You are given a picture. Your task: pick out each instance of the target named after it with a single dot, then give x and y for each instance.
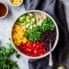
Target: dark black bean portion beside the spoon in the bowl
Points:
(48, 35)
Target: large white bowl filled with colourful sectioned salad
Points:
(31, 33)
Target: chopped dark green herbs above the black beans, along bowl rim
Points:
(47, 24)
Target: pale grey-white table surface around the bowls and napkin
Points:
(6, 25)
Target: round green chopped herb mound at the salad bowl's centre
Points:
(33, 34)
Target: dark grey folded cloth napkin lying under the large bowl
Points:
(55, 9)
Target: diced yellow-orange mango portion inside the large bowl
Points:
(18, 34)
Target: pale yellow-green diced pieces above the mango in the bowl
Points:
(26, 19)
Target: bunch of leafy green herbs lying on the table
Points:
(5, 62)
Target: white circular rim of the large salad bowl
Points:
(55, 42)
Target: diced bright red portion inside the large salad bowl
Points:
(33, 48)
